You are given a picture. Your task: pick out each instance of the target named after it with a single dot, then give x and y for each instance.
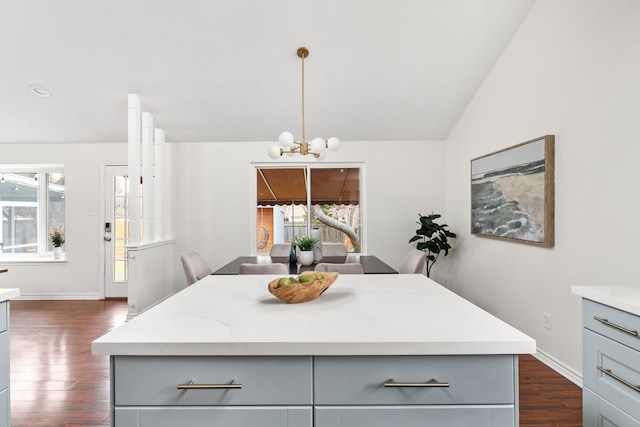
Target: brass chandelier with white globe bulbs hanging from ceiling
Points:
(289, 145)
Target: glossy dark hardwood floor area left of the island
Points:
(55, 380)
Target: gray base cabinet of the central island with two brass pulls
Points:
(321, 391)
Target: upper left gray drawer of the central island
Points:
(154, 381)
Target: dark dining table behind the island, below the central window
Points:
(370, 263)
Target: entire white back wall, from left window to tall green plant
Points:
(212, 191)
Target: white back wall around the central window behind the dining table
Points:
(214, 198)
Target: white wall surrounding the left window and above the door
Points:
(79, 277)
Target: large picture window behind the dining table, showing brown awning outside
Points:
(293, 200)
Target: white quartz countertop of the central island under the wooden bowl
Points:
(399, 314)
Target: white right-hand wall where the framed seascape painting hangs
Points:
(571, 70)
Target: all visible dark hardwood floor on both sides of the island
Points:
(56, 382)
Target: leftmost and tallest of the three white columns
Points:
(134, 156)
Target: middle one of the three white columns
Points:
(148, 185)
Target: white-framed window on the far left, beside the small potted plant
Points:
(32, 202)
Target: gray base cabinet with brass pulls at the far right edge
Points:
(611, 373)
